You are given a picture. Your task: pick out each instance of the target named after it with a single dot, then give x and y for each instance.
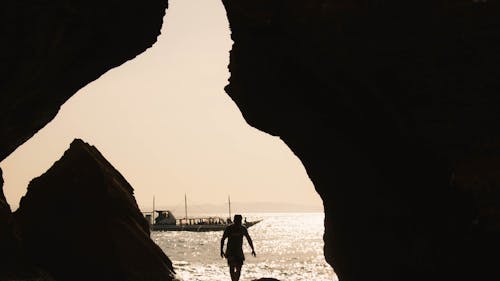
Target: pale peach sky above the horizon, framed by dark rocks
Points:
(164, 121)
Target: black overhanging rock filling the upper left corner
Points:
(54, 48)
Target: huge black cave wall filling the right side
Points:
(384, 102)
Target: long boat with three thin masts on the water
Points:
(166, 221)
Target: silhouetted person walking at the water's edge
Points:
(234, 249)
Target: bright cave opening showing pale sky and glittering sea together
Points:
(164, 121)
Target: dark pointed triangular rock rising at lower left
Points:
(80, 221)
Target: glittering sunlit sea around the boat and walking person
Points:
(289, 247)
